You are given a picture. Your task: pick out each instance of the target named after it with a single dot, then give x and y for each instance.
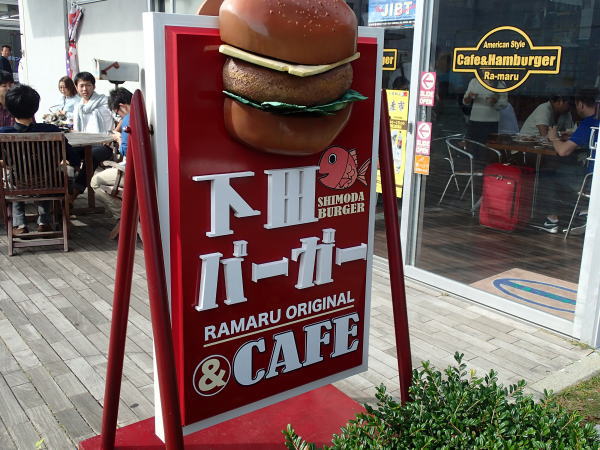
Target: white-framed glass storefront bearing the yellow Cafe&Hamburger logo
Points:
(548, 49)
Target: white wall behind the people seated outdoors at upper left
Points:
(110, 29)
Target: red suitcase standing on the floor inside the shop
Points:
(507, 196)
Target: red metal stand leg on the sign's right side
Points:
(392, 228)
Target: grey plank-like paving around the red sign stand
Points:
(55, 311)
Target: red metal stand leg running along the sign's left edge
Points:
(155, 270)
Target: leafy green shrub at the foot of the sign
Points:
(459, 410)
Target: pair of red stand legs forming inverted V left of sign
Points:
(140, 188)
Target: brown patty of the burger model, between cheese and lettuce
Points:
(265, 85)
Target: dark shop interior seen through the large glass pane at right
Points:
(528, 258)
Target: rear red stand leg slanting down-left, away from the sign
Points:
(118, 329)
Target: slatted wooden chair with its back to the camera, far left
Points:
(32, 169)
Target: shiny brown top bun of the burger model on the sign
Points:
(299, 31)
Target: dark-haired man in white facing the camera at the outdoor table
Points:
(91, 115)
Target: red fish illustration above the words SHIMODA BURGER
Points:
(338, 168)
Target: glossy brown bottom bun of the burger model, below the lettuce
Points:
(282, 134)
